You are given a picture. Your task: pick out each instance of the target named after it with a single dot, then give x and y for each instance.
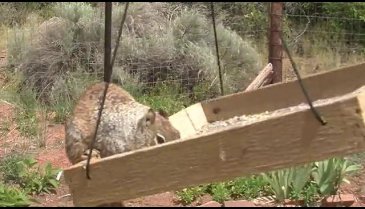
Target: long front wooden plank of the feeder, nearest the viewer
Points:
(298, 138)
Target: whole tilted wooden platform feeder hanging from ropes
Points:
(290, 138)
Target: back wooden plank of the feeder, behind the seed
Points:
(276, 96)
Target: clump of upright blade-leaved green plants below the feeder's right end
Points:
(311, 181)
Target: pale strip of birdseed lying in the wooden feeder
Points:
(244, 120)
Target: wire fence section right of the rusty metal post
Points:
(323, 36)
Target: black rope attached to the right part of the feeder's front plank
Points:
(314, 110)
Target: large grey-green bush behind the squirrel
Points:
(156, 46)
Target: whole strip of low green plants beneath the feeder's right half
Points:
(308, 183)
